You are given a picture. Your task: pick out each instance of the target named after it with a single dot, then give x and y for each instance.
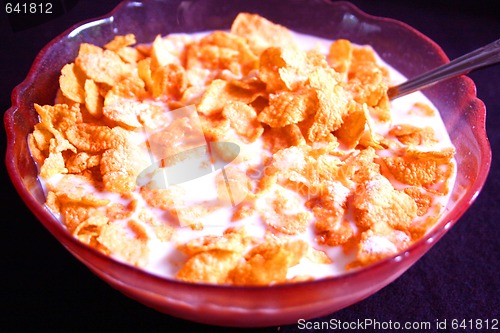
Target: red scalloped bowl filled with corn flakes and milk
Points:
(247, 169)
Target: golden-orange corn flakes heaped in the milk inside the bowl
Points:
(323, 169)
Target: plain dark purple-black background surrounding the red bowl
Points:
(45, 289)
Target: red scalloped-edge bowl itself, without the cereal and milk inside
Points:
(404, 48)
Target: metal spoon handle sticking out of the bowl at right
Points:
(482, 57)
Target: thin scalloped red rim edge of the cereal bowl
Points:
(58, 230)
